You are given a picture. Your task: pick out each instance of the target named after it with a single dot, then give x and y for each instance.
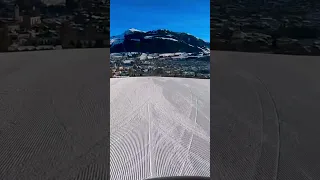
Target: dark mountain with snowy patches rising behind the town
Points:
(157, 41)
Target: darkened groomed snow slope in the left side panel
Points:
(54, 115)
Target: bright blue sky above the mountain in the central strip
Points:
(190, 16)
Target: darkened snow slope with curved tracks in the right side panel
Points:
(265, 116)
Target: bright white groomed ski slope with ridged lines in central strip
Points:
(159, 126)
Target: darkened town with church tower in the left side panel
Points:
(28, 25)
